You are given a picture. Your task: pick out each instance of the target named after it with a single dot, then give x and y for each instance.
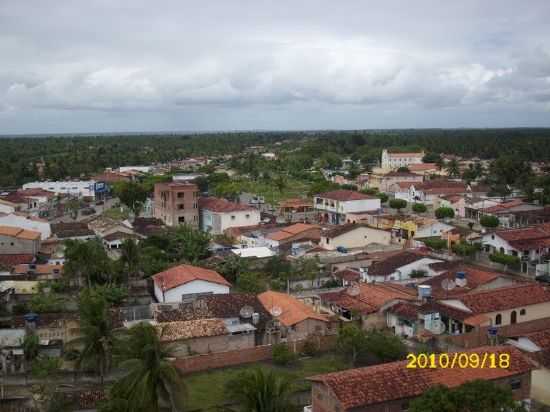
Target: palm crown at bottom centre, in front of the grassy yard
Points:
(259, 390)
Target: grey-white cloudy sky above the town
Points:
(139, 65)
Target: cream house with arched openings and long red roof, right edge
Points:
(498, 307)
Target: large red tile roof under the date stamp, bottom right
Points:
(361, 387)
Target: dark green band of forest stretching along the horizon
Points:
(84, 155)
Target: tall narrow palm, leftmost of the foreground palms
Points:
(97, 340)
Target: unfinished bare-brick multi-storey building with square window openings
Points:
(177, 204)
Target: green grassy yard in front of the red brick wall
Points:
(207, 389)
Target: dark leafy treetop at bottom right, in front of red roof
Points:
(478, 395)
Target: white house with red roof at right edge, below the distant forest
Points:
(531, 244)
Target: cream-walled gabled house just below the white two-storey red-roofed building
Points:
(350, 236)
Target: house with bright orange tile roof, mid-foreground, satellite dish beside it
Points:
(293, 319)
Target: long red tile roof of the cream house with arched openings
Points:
(505, 298)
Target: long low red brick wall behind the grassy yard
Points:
(237, 357)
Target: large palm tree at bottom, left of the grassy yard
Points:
(152, 383)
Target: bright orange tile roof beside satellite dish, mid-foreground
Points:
(293, 311)
